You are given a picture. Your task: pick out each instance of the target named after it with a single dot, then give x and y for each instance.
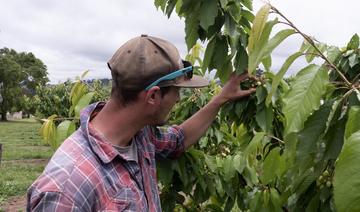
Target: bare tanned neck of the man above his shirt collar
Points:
(118, 123)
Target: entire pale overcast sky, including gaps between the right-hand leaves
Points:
(71, 36)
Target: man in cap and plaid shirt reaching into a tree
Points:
(108, 164)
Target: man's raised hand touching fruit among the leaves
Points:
(231, 90)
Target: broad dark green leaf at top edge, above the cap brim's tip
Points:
(208, 13)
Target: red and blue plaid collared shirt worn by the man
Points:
(87, 173)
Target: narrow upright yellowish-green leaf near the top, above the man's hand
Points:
(258, 26)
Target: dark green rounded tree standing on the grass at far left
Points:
(20, 73)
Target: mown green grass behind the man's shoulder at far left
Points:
(21, 146)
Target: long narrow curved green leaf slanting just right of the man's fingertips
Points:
(280, 75)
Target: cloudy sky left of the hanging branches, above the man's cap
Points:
(72, 36)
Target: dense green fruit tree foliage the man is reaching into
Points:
(275, 150)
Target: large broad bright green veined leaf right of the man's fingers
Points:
(304, 97)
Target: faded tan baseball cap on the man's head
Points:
(142, 60)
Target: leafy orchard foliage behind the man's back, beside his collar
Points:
(63, 103)
